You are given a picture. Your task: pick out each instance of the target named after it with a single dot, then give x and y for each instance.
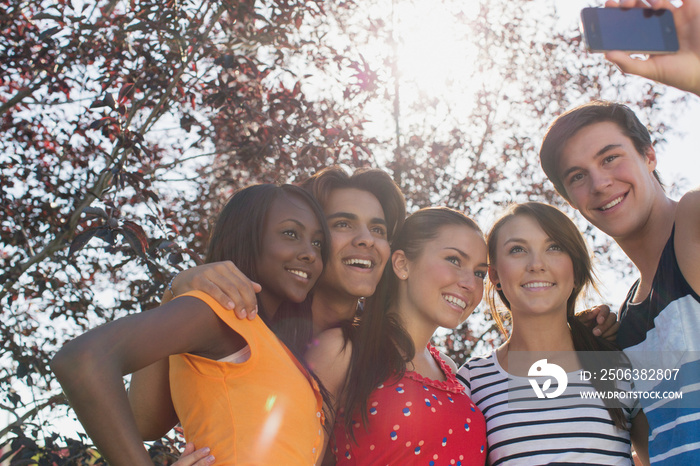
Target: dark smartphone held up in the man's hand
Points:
(640, 30)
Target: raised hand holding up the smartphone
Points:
(681, 69)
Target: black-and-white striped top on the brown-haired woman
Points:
(523, 430)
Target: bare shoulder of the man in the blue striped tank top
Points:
(687, 237)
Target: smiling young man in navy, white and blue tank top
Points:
(600, 157)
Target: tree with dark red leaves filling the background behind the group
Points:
(127, 124)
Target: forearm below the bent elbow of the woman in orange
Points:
(94, 386)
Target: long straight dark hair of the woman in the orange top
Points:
(237, 236)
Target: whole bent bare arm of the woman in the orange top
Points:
(90, 369)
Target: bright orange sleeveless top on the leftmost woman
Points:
(264, 411)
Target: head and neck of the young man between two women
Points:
(364, 210)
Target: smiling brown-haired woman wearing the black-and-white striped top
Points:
(538, 266)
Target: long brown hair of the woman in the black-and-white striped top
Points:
(561, 229)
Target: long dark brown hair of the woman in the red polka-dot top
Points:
(381, 347)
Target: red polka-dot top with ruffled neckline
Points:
(417, 421)
